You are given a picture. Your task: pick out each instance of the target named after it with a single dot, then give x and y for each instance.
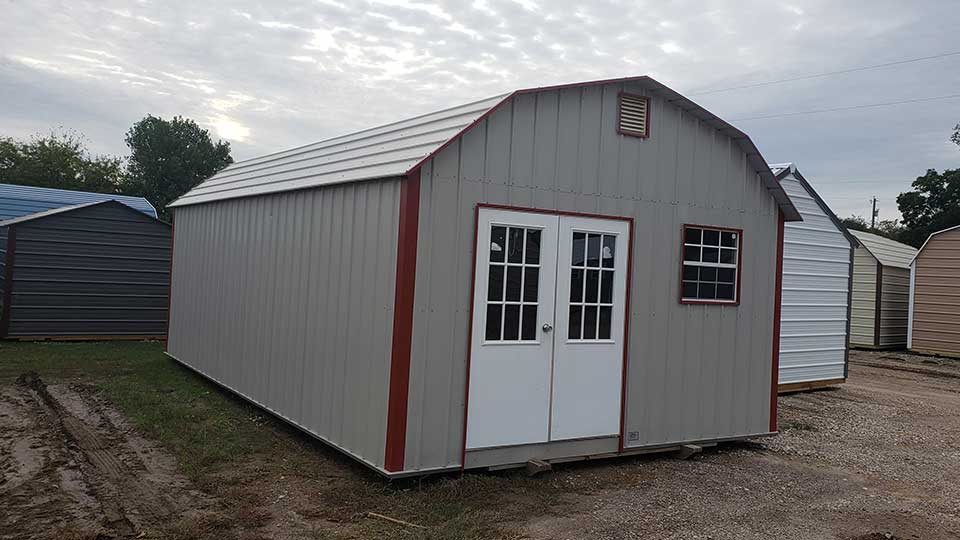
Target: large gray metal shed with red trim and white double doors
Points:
(557, 273)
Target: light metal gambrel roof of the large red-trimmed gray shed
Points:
(399, 148)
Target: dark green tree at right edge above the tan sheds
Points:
(934, 204)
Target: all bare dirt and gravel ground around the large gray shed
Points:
(874, 459)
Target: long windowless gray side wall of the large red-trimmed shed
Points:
(287, 299)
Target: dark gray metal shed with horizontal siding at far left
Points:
(90, 271)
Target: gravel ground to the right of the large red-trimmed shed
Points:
(878, 457)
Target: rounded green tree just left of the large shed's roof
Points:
(170, 157)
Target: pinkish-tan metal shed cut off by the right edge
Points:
(935, 295)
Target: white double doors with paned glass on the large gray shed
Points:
(548, 321)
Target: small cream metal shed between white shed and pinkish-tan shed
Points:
(881, 292)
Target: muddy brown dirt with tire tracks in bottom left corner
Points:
(68, 468)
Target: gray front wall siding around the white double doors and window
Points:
(695, 372)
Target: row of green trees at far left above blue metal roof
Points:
(59, 159)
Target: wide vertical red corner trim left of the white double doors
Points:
(402, 322)
